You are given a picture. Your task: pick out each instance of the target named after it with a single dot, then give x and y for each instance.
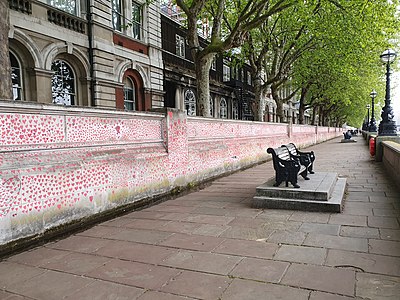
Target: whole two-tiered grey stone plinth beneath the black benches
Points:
(323, 192)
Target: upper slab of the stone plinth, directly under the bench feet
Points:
(318, 188)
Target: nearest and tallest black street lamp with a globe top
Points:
(387, 127)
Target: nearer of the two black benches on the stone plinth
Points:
(287, 168)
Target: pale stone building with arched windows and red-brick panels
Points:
(87, 53)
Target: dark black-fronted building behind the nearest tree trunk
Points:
(231, 91)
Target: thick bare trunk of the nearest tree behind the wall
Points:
(202, 66)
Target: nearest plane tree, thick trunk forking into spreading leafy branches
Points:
(230, 22)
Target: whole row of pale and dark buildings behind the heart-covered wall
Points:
(119, 54)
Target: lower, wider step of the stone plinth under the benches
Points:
(333, 204)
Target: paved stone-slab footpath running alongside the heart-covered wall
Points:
(211, 244)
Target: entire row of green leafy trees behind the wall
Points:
(327, 49)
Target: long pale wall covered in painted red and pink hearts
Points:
(59, 164)
